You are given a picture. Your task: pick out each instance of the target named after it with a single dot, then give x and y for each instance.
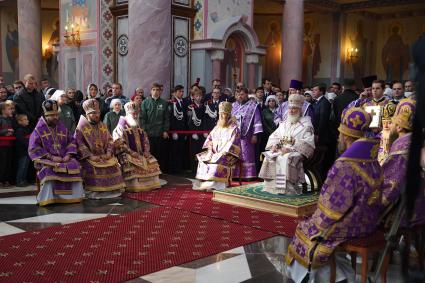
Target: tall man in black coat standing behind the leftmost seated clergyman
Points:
(28, 101)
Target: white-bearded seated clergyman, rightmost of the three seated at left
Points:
(140, 169)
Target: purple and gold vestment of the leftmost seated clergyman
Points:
(58, 141)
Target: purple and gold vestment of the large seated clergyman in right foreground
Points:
(348, 205)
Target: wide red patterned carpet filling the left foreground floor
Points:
(118, 248)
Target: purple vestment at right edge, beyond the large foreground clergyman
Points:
(395, 167)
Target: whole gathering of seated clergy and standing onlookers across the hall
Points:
(102, 144)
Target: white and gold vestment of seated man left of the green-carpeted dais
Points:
(224, 149)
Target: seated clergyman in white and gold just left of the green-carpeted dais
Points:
(223, 146)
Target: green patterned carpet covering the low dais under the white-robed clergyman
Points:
(255, 191)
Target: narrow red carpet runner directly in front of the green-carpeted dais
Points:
(185, 198)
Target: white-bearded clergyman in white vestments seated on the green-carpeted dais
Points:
(287, 147)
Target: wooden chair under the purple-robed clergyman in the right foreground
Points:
(364, 246)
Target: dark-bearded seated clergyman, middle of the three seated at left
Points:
(101, 171)
